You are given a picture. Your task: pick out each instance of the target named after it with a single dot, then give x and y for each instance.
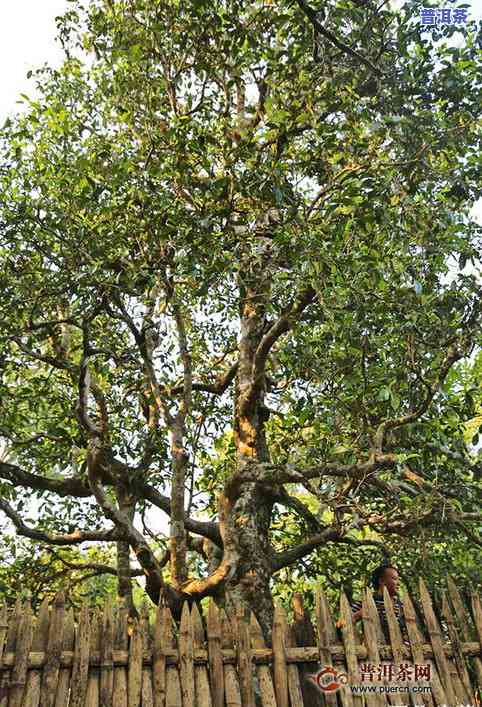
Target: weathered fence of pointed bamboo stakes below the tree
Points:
(105, 659)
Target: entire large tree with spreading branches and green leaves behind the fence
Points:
(240, 286)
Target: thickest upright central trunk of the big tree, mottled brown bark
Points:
(251, 504)
